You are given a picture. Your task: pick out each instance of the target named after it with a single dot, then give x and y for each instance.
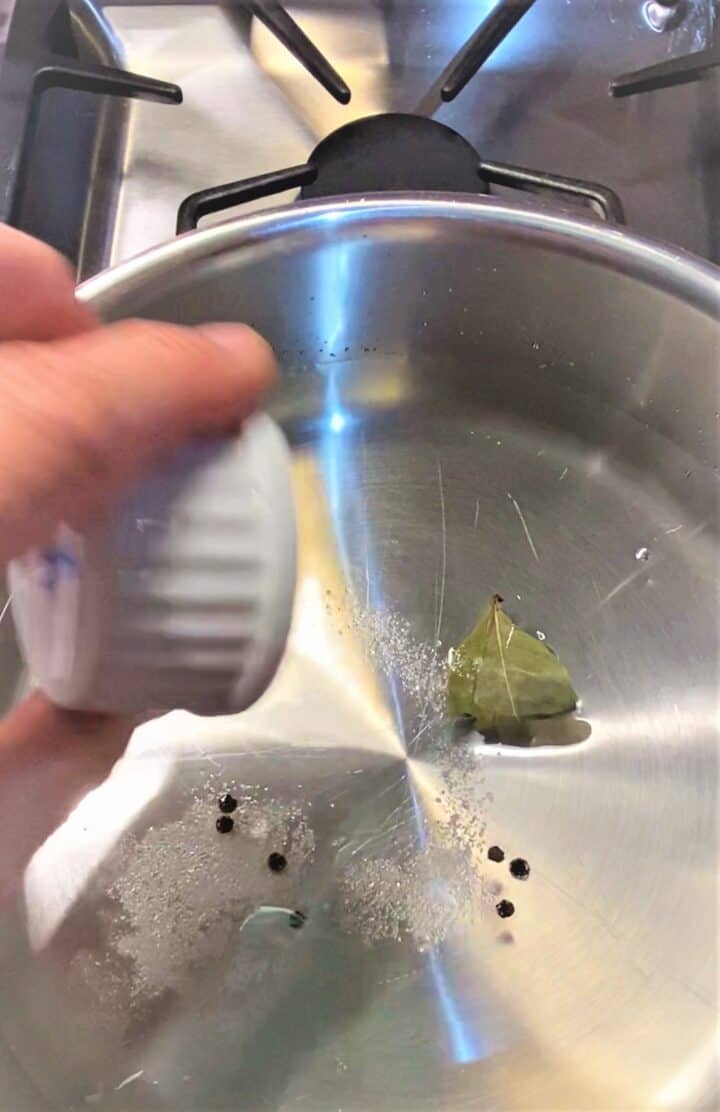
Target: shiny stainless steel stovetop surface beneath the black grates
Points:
(541, 101)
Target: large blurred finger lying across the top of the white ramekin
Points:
(82, 419)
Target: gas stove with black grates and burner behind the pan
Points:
(123, 124)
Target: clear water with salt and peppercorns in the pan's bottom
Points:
(171, 948)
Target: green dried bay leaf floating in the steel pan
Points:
(501, 676)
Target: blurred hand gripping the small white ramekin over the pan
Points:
(84, 411)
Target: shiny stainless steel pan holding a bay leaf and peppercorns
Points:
(481, 399)
